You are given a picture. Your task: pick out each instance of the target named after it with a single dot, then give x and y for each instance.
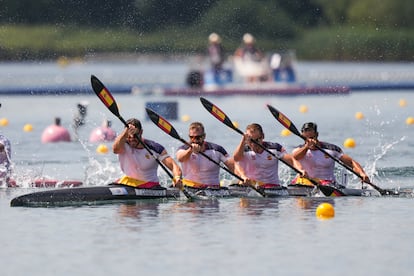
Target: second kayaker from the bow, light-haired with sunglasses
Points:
(198, 171)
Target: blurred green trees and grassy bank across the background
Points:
(316, 29)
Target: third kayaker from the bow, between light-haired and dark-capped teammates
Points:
(257, 166)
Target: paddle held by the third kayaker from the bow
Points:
(222, 117)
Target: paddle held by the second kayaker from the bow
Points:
(163, 124)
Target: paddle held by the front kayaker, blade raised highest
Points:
(108, 100)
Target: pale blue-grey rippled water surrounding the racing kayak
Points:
(217, 237)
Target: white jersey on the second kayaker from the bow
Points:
(201, 170)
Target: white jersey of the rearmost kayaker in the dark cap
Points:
(321, 166)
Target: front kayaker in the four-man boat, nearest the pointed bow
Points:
(138, 165)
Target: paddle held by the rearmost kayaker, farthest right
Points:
(289, 125)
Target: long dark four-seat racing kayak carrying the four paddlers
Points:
(116, 192)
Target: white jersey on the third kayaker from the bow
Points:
(263, 167)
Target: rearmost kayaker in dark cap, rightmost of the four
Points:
(318, 165)
